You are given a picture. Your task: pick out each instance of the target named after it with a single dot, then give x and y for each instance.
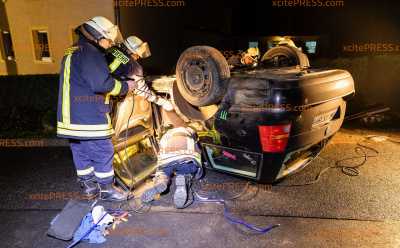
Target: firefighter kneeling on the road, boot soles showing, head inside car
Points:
(179, 154)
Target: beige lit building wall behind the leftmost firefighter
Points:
(58, 18)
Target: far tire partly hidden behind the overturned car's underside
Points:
(282, 56)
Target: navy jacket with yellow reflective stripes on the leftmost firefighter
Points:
(84, 90)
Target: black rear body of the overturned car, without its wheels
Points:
(310, 105)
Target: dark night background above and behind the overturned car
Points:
(229, 25)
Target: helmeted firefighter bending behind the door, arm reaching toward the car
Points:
(123, 64)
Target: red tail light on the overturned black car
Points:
(274, 138)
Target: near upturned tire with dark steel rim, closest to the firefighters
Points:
(201, 75)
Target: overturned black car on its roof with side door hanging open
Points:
(262, 123)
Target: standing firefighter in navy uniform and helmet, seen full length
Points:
(83, 113)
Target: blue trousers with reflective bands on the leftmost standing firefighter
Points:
(93, 158)
